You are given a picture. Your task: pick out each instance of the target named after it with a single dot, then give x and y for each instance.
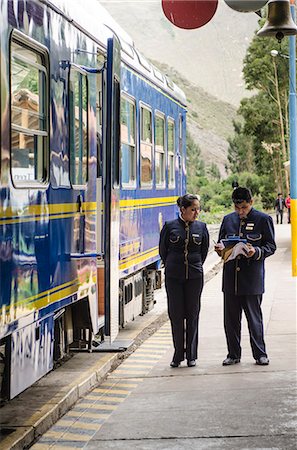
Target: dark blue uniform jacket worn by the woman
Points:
(183, 248)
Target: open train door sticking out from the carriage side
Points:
(111, 193)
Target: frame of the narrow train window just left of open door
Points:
(75, 68)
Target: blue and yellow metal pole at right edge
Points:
(293, 142)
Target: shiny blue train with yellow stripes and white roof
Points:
(92, 162)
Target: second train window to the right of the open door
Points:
(146, 147)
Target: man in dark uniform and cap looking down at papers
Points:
(243, 277)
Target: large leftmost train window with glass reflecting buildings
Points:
(29, 112)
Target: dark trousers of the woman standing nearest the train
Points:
(183, 309)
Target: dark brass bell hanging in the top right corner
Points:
(279, 22)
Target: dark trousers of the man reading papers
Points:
(251, 305)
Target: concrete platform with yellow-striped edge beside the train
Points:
(144, 404)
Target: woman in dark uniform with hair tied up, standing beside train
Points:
(183, 249)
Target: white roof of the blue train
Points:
(96, 22)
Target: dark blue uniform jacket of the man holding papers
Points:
(245, 276)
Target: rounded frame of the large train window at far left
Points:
(33, 46)
